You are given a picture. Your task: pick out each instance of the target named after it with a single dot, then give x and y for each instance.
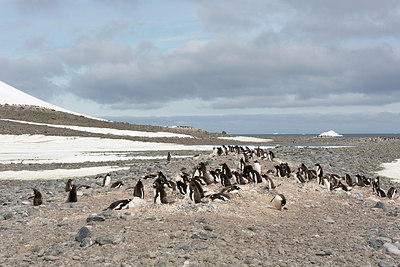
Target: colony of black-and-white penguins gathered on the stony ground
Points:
(200, 184)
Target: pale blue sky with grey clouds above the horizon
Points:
(256, 66)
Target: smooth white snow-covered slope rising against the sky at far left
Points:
(12, 96)
